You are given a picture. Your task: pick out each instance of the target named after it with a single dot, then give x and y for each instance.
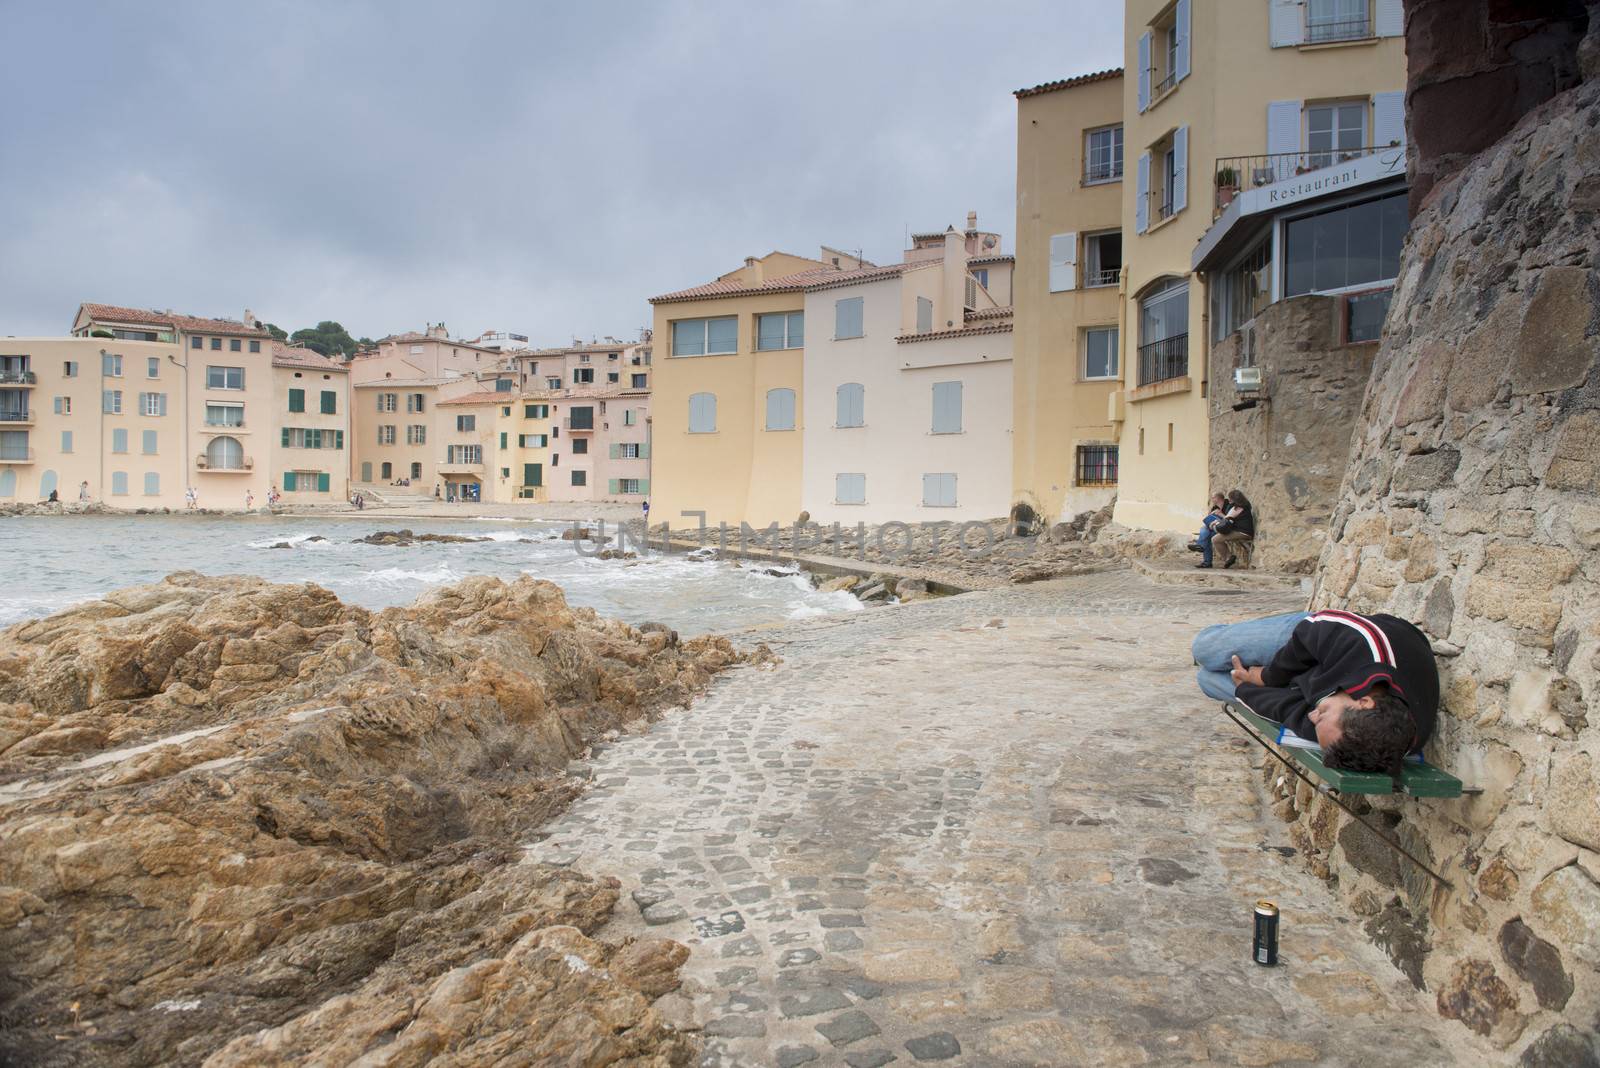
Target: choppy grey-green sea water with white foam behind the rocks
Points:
(54, 562)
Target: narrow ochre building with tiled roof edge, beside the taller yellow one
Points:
(1068, 346)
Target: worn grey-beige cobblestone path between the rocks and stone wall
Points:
(999, 829)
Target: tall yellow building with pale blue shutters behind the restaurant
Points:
(1223, 97)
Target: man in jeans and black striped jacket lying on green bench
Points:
(1366, 688)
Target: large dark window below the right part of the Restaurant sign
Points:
(1345, 247)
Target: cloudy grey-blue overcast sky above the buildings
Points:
(542, 169)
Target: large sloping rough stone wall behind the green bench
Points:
(1473, 508)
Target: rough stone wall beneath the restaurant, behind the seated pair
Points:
(1289, 452)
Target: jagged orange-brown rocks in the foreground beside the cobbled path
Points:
(246, 824)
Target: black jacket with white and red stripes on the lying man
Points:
(1332, 652)
